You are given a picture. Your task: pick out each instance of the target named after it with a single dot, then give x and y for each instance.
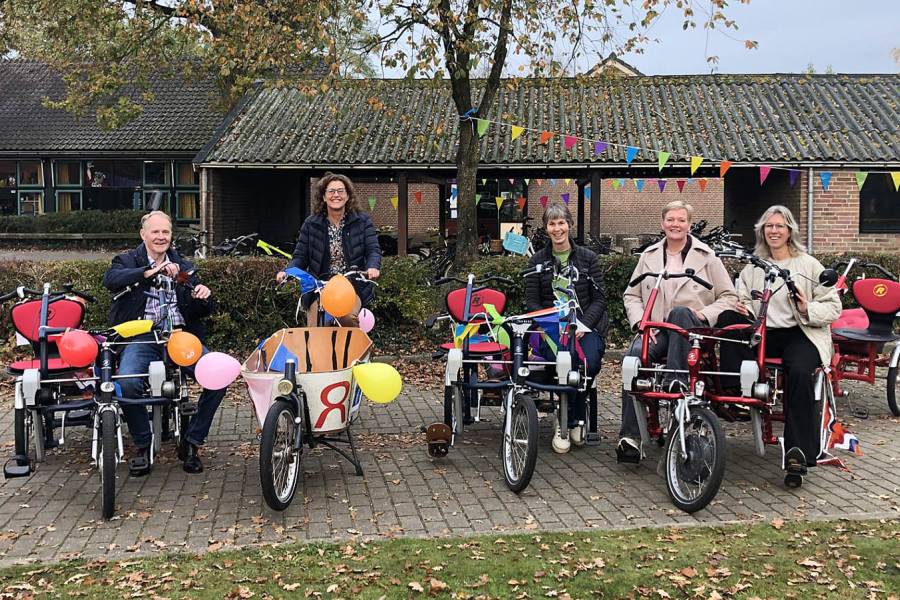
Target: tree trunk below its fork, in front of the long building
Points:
(467, 156)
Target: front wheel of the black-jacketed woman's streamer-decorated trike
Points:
(519, 447)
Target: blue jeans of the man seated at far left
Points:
(136, 358)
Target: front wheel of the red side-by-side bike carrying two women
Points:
(694, 480)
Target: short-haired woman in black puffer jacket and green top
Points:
(539, 293)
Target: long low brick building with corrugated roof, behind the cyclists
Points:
(396, 139)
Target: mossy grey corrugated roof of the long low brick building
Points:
(743, 118)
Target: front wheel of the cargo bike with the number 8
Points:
(279, 461)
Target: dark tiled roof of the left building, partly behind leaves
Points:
(180, 120)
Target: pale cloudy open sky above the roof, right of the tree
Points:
(853, 36)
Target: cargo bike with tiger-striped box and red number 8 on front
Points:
(306, 386)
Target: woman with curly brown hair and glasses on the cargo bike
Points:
(337, 237)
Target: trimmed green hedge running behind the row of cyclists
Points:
(248, 307)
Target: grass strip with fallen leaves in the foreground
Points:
(841, 559)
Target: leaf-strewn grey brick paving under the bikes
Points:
(54, 514)
